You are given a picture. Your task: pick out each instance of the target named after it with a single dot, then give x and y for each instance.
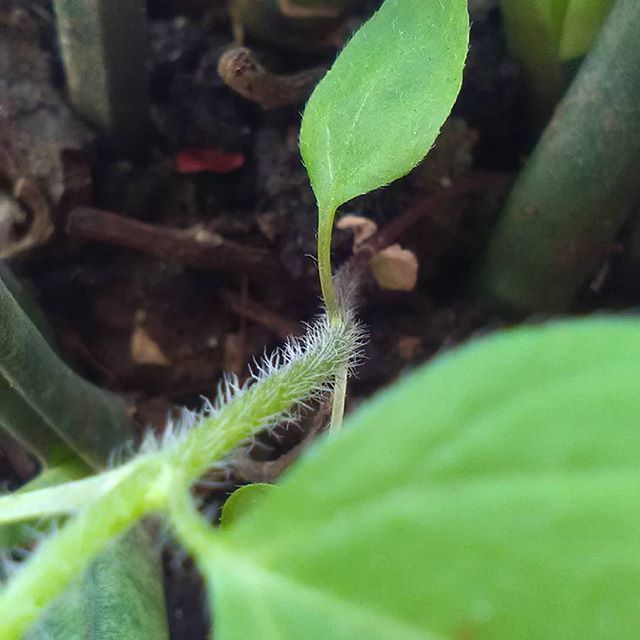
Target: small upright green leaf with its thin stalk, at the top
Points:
(379, 109)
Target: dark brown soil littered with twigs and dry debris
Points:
(143, 310)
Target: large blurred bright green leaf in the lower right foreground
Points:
(494, 495)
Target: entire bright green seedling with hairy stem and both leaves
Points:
(492, 495)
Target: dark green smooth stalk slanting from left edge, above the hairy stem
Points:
(44, 404)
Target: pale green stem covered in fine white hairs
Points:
(303, 369)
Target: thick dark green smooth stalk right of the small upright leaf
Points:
(577, 188)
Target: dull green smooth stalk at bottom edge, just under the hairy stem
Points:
(119, 598)
